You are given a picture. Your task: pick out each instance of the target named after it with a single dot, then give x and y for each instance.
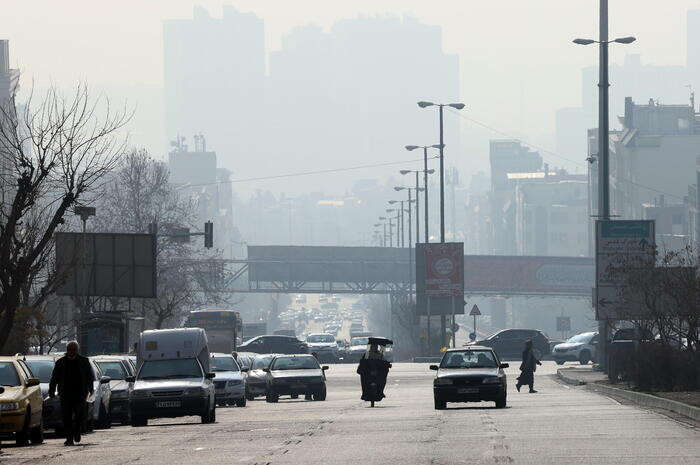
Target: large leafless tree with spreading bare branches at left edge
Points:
(53, 156)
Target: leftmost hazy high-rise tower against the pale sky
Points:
(214, 73)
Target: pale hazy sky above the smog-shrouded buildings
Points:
(517, 61)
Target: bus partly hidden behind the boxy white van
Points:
(221, 325)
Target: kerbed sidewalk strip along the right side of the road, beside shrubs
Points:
(597, 381)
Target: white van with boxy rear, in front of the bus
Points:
(174, 378)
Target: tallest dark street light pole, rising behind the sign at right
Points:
(603, 144)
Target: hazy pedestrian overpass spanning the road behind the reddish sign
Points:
(387, 270)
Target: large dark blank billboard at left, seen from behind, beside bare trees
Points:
(106, 264)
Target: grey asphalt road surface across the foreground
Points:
(558, 425)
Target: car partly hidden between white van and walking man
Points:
(118, 368)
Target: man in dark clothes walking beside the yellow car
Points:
(74, 378)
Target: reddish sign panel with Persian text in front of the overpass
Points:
(444, 269)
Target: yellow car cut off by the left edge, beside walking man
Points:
(20, 402)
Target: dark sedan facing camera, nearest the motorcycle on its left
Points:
(295, 375)
